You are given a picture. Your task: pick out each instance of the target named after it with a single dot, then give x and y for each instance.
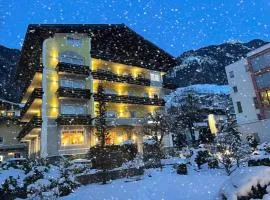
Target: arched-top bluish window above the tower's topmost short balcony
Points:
(72, 58)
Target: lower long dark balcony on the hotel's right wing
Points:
(130, 99)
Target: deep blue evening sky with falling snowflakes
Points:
(174, 25)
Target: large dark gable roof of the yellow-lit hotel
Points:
(111, 42)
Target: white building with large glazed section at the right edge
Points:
(250, 91)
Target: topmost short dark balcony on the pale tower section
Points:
(73, 69)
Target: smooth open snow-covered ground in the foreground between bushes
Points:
(156, 184)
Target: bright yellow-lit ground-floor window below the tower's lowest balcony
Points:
(72, 137)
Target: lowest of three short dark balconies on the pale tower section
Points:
(74, 120)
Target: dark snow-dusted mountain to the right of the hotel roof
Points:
(207, 65)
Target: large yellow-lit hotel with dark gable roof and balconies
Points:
(63, 65)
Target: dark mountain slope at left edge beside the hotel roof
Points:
(9, 88)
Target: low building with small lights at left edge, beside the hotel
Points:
(10, 127)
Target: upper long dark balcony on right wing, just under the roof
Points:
(110, 76)
